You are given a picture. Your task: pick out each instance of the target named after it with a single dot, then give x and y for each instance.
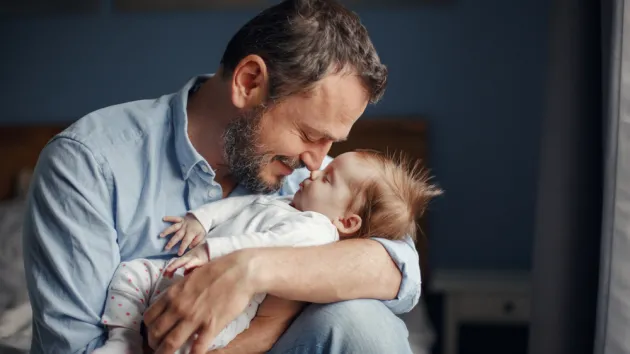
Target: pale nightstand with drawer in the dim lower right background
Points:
(480, 297)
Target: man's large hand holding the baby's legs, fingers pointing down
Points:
(203, 303)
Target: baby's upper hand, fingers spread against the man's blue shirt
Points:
(189, 231)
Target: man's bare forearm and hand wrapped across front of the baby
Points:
(344, 270)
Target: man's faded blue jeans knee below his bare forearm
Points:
(357, 326)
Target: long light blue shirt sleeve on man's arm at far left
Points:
(70, 248)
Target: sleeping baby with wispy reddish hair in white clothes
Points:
(359, 194)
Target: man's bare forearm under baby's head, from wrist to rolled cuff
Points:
(346, 270)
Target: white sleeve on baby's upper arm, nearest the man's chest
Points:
(212, 214)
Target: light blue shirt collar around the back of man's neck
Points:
(186, 154)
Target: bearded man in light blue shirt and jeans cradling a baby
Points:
(291, 82)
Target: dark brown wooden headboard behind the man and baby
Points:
(20, 146)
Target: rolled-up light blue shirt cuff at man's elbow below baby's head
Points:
(405, 256)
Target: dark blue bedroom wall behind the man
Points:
(474, 69)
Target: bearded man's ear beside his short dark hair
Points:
(249, 82)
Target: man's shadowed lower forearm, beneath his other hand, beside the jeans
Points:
(272, 318)
